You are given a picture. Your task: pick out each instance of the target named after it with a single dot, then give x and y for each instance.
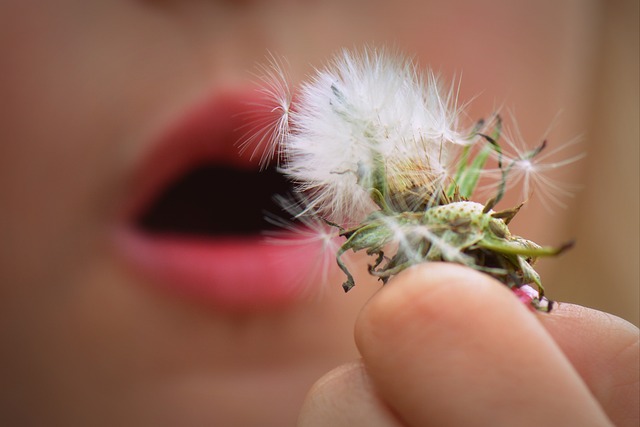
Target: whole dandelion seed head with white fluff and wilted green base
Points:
(378, 152)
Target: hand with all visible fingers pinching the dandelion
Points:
(443, 345)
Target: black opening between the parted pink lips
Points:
(215, 200)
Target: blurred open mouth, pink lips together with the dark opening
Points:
(194, 219)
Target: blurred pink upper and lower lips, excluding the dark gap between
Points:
(233, 273)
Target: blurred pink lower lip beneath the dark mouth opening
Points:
(232, 273)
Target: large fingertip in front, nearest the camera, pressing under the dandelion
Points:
(445, 345)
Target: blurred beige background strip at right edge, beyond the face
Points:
(602, 270)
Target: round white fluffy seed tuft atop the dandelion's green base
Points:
(364, 114)
